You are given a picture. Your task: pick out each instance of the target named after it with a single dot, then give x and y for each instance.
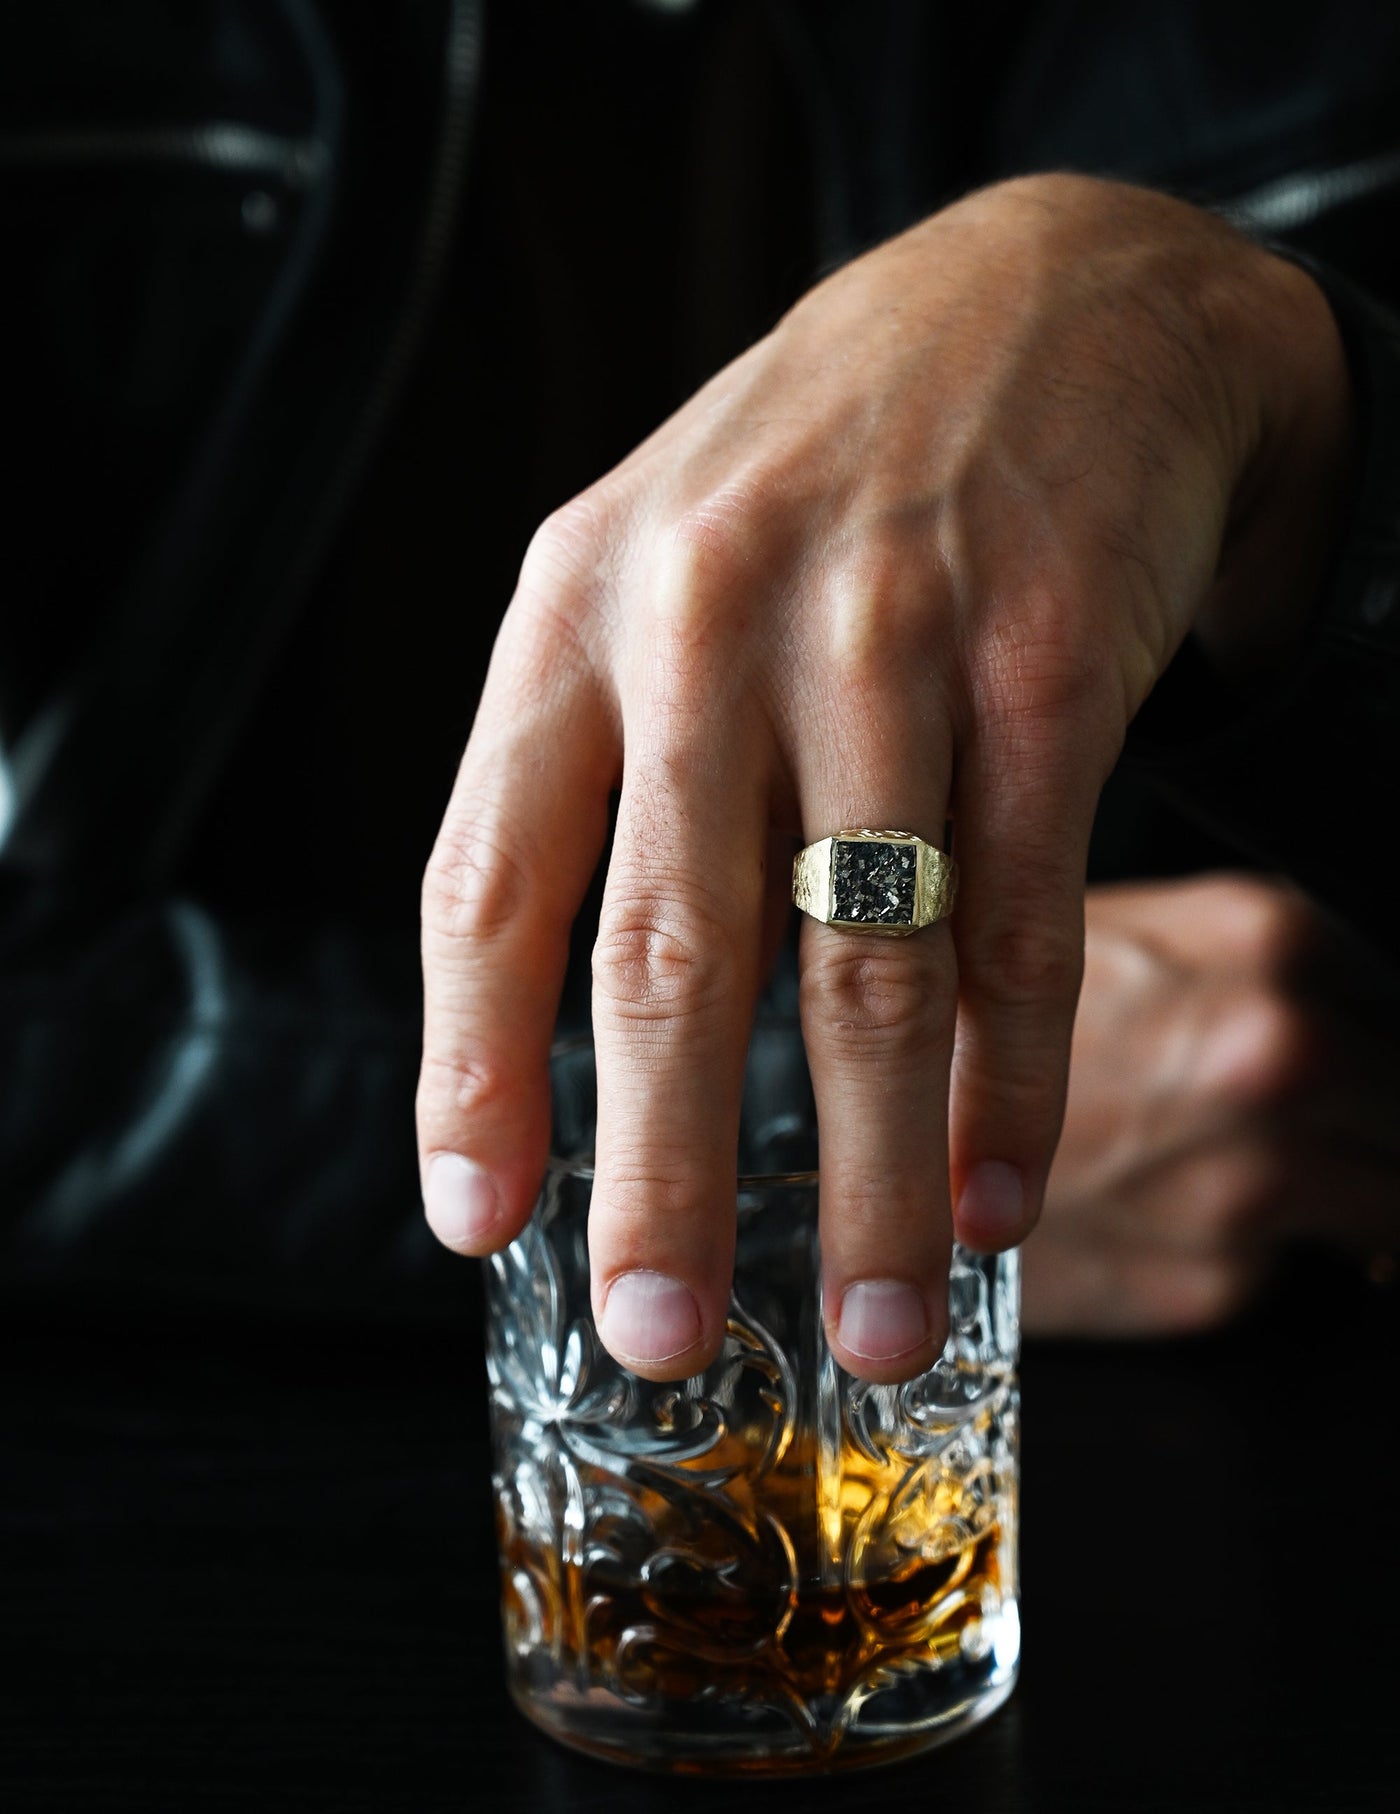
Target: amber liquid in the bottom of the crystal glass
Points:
(806, 1588)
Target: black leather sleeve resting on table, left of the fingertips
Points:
(206, 1113)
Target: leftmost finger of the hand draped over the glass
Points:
(520, 844)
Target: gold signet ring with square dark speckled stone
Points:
(875, 883)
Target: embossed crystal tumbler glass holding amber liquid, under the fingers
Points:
(770, 1566)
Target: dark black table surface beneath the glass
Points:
(251, 1568)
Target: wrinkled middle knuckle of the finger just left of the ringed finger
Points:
(659, 957)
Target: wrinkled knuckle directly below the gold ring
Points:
(870, 991)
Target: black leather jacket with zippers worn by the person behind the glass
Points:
(293, 369)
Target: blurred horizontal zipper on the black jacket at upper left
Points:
(219, 146)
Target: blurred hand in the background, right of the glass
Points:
(1234, 1078)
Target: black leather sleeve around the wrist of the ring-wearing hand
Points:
(1307, 779)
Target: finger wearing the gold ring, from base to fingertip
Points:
(879, 1022)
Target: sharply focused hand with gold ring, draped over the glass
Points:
(919, 554)
